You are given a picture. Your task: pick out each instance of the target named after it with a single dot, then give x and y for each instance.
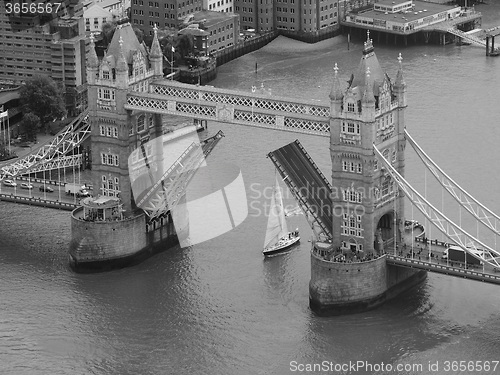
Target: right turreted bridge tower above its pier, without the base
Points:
(368, 213)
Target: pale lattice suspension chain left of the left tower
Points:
(56, 153)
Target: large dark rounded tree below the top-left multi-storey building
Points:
(42, 97)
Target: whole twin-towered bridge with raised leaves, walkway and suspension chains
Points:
(358, 257)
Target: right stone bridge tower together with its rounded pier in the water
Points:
(351, 274)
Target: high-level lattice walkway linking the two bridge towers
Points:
(244, 108)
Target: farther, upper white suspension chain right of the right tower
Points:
(467, 201)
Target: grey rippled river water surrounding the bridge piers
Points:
(219, 308)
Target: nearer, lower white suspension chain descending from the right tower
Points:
(451, 230)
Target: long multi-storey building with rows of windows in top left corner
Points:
(50, 41)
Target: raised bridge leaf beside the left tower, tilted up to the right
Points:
(167, 191)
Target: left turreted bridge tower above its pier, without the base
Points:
(126, 66)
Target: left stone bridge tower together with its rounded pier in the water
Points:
(107, 232)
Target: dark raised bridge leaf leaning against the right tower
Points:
(309, 186)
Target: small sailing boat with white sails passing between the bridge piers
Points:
(278, 238)
